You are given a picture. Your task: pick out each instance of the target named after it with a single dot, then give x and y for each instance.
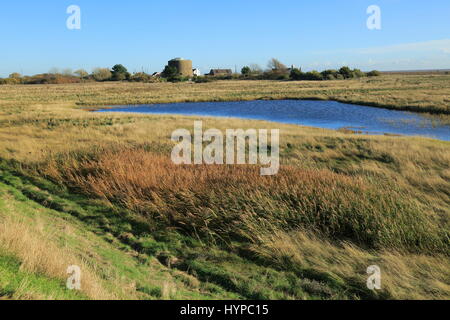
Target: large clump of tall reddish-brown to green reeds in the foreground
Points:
(233, 203)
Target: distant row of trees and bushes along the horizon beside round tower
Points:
(275, 71)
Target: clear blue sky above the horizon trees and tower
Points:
(144, 34)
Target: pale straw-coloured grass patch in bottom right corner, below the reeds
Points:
(403, 276)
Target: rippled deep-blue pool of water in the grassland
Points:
(322, 114)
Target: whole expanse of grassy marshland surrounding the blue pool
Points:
(99, 190)
